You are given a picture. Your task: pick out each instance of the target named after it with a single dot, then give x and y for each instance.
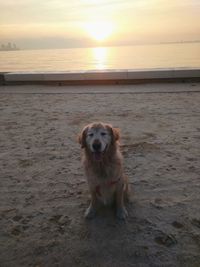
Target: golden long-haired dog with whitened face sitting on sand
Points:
(103, 165)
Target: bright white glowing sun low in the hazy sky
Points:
(99, 31)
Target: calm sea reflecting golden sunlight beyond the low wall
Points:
(173, 55)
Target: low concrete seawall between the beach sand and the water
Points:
(100, 77)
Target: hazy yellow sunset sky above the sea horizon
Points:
(35, 24)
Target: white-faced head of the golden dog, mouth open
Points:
(97, 138)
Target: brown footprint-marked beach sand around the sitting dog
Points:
(43, 191)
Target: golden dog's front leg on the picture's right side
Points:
(120, 208)
